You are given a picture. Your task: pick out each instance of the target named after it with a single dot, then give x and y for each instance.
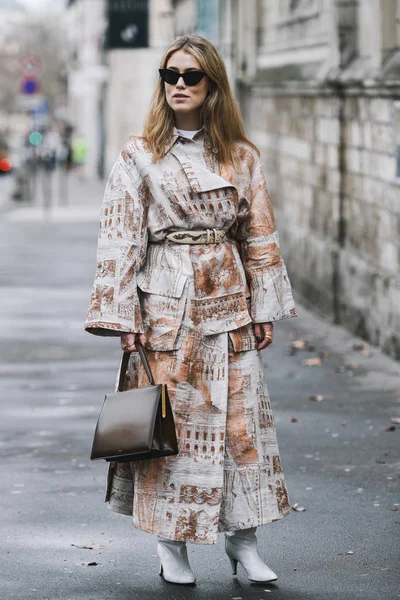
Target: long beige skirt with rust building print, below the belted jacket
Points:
(228, 473)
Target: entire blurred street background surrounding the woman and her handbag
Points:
(319, 87)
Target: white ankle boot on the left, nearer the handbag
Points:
(174, 566)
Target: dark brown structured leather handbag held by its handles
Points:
(135, 424)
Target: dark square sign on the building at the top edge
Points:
(128, 24)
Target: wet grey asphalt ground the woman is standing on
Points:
(339, 461)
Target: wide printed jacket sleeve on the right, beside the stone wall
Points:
(270, 288)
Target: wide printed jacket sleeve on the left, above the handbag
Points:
(114, 305)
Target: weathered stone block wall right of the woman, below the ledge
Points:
(330, 162)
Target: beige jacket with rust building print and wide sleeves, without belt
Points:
(188, 189)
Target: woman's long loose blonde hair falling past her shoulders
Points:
(220, 112)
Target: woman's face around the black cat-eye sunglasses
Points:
(180, 97)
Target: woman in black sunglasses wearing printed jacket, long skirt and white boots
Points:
(189, 265)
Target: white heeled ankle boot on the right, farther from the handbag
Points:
(241, 546)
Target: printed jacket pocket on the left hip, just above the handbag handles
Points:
(162, 315)
